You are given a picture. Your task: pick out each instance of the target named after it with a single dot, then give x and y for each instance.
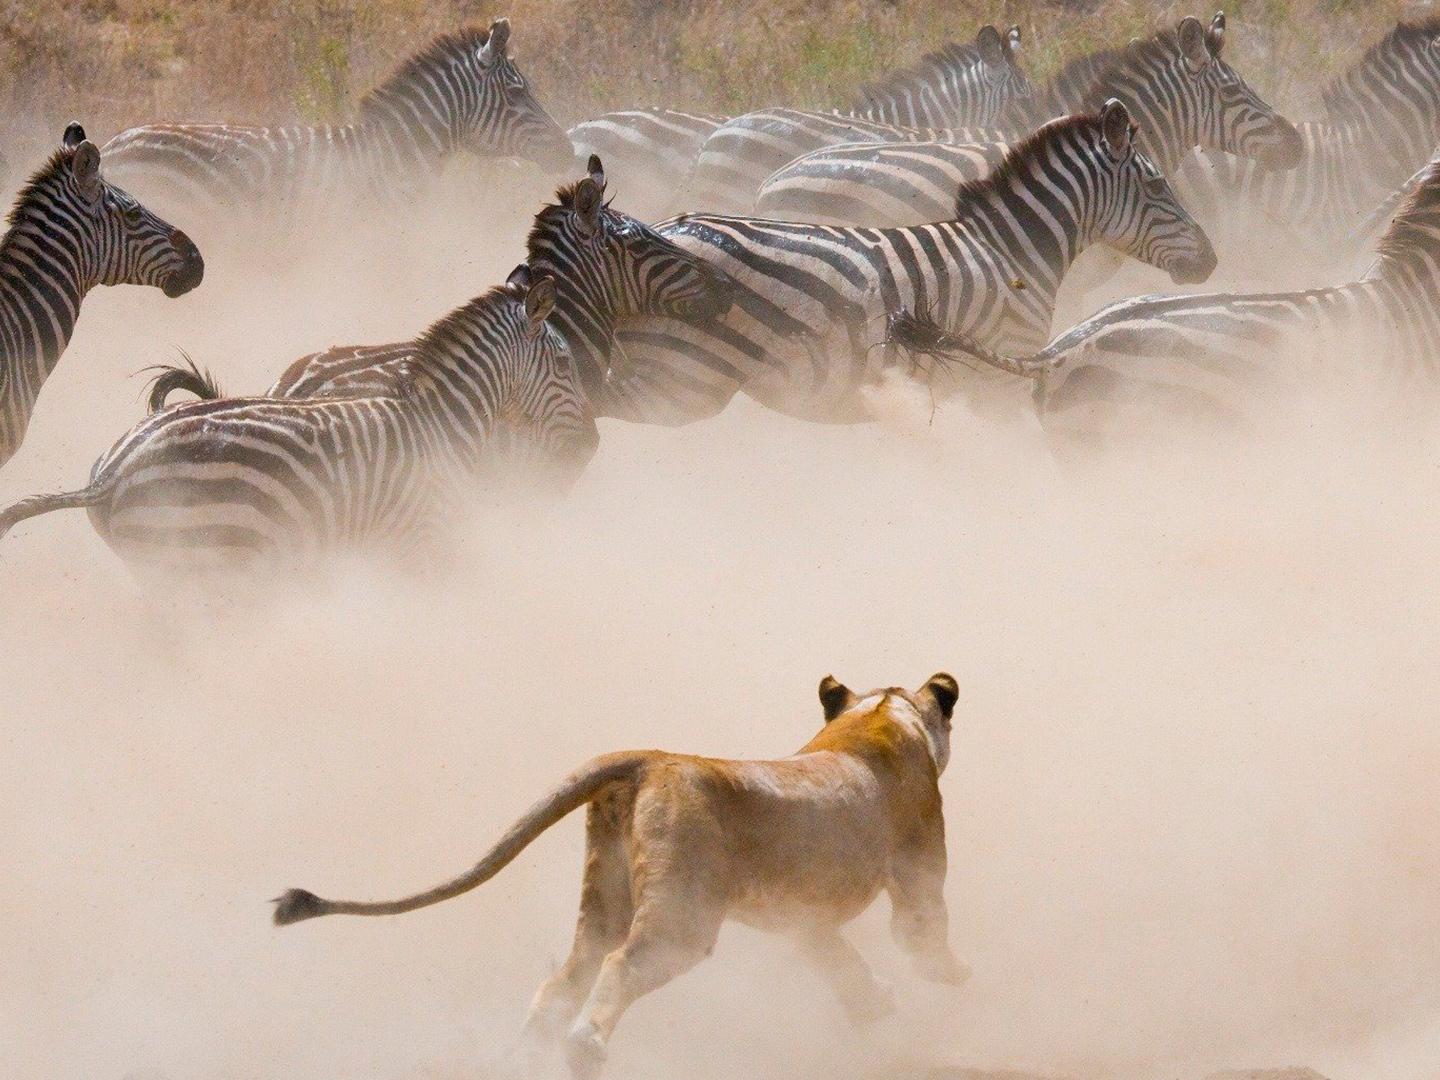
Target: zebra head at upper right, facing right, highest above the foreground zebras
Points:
(1230, 116)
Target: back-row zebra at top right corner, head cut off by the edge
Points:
(1383, 125)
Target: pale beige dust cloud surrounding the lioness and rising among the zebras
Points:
(1192, 809)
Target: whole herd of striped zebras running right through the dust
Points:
(954, 198)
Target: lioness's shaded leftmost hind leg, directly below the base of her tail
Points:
(607, 911)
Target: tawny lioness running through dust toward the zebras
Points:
(678, 845)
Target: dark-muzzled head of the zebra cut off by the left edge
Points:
(122, 241)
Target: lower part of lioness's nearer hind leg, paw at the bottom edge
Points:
(662, 947)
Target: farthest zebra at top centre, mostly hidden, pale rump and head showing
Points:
(954, 87)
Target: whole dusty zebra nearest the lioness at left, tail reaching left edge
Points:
(264, 483)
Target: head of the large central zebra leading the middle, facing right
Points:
(1143, 217)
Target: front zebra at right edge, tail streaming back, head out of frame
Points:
(1210, 355)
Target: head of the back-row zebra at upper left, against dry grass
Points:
(502, 116)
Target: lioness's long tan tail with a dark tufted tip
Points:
(578, 790)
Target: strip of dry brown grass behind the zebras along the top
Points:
(120, 63)
